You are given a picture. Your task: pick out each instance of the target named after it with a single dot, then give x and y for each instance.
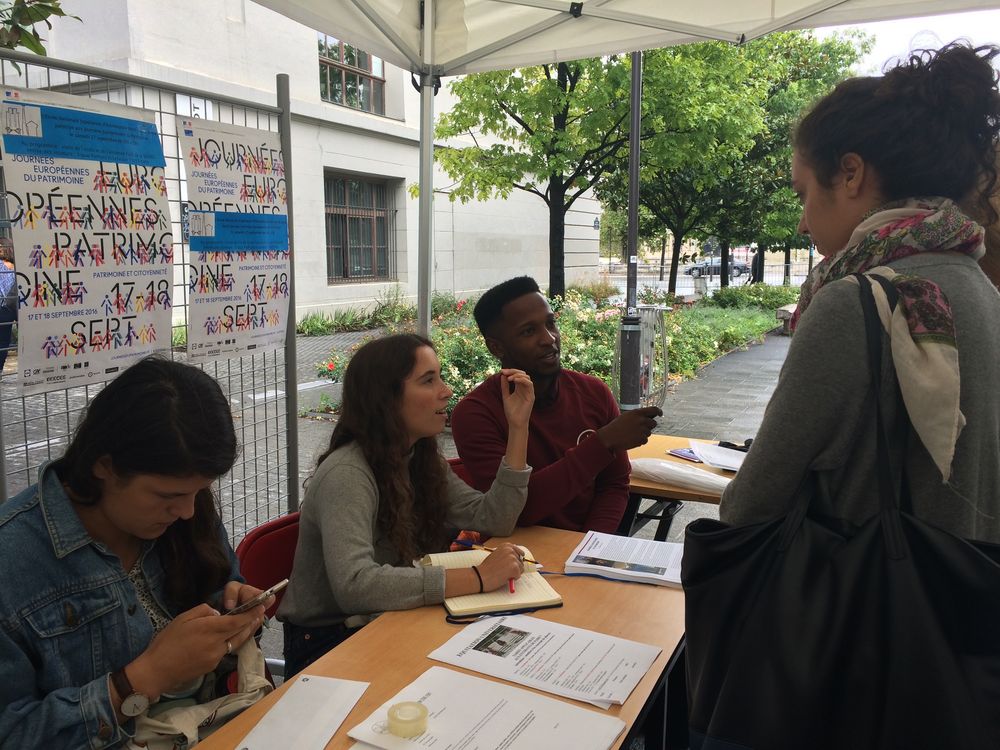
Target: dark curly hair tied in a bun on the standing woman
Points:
(928, 127)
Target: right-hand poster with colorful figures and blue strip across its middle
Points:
(237, 224)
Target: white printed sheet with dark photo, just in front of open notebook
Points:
(560, 659)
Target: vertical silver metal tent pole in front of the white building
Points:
(425, 230)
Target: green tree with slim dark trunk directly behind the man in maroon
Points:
(549, 130)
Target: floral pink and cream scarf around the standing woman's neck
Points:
(921, 329)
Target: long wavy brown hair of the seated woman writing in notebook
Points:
(411, 487)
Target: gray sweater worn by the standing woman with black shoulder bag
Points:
(821, 417)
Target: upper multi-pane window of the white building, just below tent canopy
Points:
(350, 76)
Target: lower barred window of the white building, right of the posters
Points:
(360, 230)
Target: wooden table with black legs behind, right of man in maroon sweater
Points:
(668, 496)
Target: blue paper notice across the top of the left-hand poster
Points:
(57, 132)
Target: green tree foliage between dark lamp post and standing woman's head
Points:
(735, 185)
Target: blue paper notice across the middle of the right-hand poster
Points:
(220, 232)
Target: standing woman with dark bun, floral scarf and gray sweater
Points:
(881, 166)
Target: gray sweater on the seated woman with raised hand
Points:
(346, 569)
